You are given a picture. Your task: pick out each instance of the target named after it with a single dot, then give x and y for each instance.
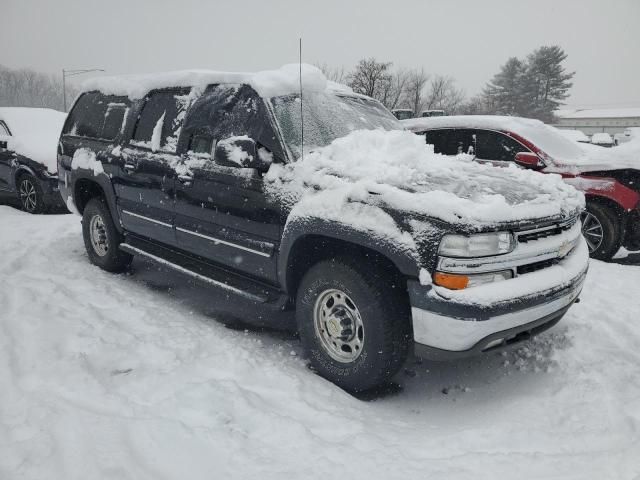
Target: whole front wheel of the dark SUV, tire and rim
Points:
(354, 327)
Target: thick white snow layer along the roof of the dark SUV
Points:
(268, 83)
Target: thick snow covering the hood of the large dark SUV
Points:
(396, 170)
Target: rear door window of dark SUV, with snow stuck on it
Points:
(161, 120)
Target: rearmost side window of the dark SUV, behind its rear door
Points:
(96, 116)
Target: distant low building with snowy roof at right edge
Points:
(594, 120)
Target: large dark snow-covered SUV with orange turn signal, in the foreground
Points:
(322, 204)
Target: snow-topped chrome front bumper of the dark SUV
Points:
(456, 326)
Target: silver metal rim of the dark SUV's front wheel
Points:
(338, 325)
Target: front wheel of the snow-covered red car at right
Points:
(603, 221)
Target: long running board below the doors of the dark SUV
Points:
(205, 272)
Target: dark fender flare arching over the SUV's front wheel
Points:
(403, 256)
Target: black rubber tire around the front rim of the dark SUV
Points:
(384, 314)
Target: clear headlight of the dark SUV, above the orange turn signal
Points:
(476, 245)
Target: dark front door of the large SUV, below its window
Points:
(223, 215)
